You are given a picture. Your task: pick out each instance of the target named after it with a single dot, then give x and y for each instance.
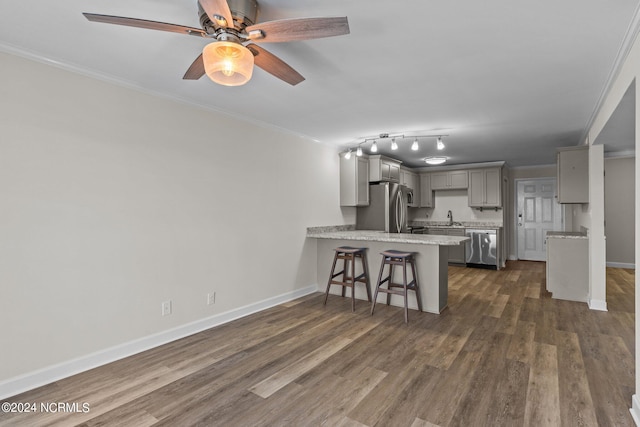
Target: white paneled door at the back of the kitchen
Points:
(536, 213)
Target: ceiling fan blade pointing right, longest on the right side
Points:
(285, 30)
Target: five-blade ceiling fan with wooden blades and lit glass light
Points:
(230, 58)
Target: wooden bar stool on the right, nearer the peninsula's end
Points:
(393, 258)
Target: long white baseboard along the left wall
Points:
(22, 383)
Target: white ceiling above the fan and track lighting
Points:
(507, 80)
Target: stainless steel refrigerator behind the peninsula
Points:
(387, 210)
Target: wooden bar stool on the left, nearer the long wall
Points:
(349, 255)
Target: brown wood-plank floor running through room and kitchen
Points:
(504, 353)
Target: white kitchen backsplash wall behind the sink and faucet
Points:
(457, 202)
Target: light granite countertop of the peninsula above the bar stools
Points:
(381, 236)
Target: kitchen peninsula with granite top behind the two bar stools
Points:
(431, 260)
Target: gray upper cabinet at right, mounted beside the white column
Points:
(573, 174)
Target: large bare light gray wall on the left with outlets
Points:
(114, 201)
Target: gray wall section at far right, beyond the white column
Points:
(619, 194)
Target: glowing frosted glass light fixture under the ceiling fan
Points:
(228, 63)
